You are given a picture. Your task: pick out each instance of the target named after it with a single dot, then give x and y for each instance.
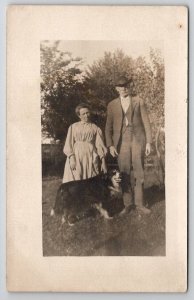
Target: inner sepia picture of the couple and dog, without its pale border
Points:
(103, 148)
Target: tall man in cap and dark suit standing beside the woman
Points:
(128, 137)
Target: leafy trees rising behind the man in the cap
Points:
(148, 78)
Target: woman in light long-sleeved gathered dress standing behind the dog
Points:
(84, 148)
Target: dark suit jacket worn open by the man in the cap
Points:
(137, 117)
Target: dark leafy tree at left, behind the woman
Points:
(61, 90)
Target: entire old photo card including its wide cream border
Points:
(97, 148)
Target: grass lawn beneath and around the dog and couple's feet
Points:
(132, 234)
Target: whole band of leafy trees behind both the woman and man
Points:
(64, 84)
